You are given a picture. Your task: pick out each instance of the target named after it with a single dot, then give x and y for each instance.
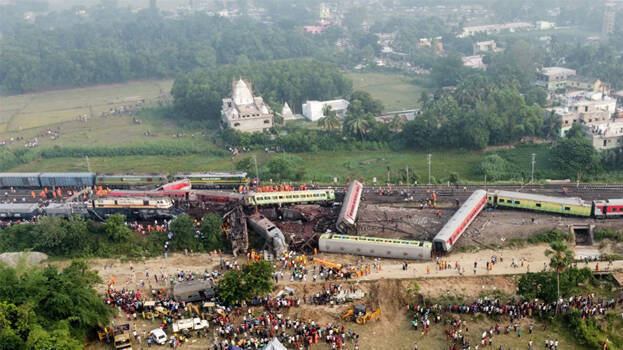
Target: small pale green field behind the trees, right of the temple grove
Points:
(395, 90)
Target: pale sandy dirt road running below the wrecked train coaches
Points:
(130, 274)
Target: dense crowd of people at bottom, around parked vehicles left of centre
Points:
(248, 326)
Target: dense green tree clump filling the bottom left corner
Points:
(44, 308)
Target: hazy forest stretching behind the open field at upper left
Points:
(63, 49)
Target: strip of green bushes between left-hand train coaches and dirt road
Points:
(78, 237)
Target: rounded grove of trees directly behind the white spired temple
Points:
(199, 95)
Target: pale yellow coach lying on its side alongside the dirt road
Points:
(375, 246)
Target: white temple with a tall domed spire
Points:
(245, 112)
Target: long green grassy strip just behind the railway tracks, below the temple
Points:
(321, 166)
